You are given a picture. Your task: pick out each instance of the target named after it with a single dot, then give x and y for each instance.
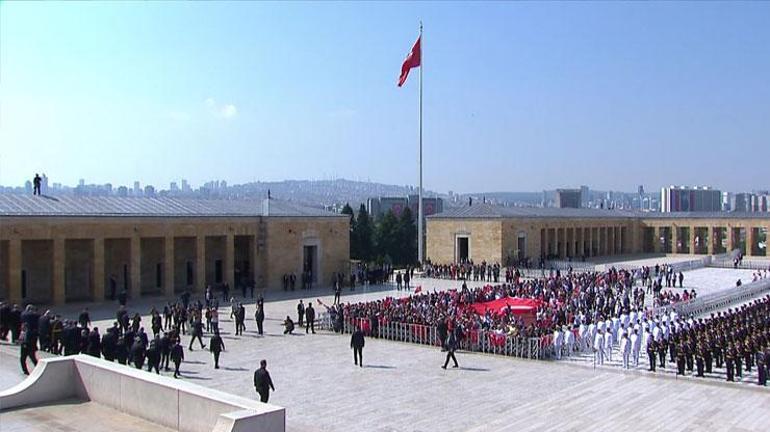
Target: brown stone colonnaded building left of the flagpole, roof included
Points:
(56, 250)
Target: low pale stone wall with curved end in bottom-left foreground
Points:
(168, 402)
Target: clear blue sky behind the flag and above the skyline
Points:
(518, 96)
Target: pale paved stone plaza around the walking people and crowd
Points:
(403, 388)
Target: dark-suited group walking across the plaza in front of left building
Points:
(126, 341)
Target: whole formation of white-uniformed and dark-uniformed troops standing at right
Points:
(735, 340)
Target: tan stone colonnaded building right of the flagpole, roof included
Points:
(484, 232)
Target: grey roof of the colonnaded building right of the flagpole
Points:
(489, 211)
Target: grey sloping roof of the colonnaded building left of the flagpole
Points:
(26, 205)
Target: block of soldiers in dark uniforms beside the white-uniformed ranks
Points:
(736, 340)
